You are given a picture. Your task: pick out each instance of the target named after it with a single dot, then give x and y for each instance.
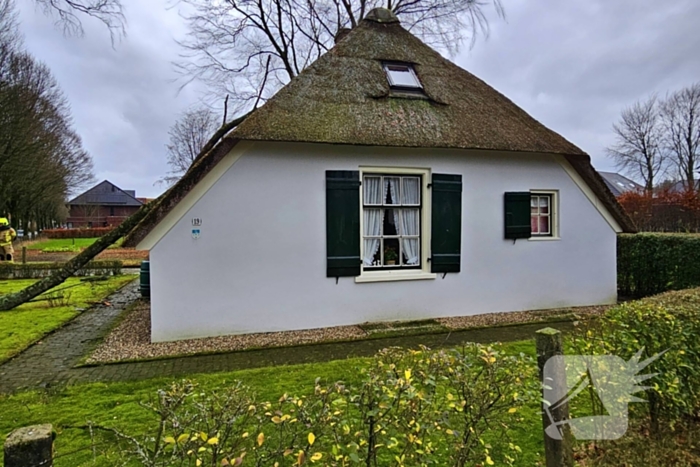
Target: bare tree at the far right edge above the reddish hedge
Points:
(680, 114)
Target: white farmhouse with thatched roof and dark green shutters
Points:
(382, 183)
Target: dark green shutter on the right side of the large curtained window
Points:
(446, 238)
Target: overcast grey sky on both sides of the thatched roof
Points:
(573, 65)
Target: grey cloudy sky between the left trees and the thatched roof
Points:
(123, 98)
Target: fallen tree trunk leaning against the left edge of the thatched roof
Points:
(10, 301)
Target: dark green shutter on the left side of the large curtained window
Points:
(342, 223)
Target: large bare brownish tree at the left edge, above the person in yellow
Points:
(41, 156)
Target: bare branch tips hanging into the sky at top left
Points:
(67, 13)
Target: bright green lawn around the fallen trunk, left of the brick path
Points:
(28, 323)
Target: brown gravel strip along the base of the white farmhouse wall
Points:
(131, 340)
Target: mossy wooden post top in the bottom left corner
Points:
(30, 446)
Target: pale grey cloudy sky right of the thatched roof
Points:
(574, 65)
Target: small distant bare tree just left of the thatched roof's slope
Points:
(187, 139)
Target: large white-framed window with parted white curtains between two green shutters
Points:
(392, 218)
